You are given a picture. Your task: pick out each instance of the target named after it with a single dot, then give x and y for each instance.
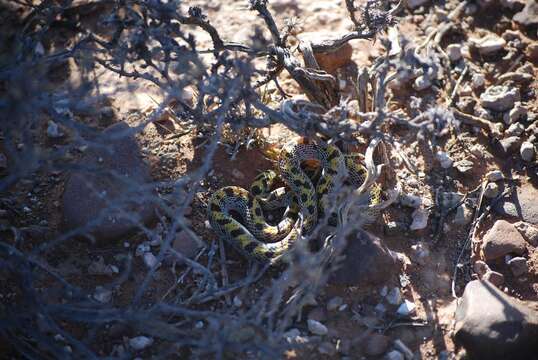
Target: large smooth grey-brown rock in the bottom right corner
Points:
(492, 325)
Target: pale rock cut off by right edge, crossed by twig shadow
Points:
(521, 204)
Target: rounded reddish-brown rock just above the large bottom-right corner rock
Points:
(502, 239)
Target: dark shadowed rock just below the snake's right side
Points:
(365, 255)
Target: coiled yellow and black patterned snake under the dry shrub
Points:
(236, 215)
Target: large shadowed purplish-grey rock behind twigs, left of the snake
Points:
(119, 180)
